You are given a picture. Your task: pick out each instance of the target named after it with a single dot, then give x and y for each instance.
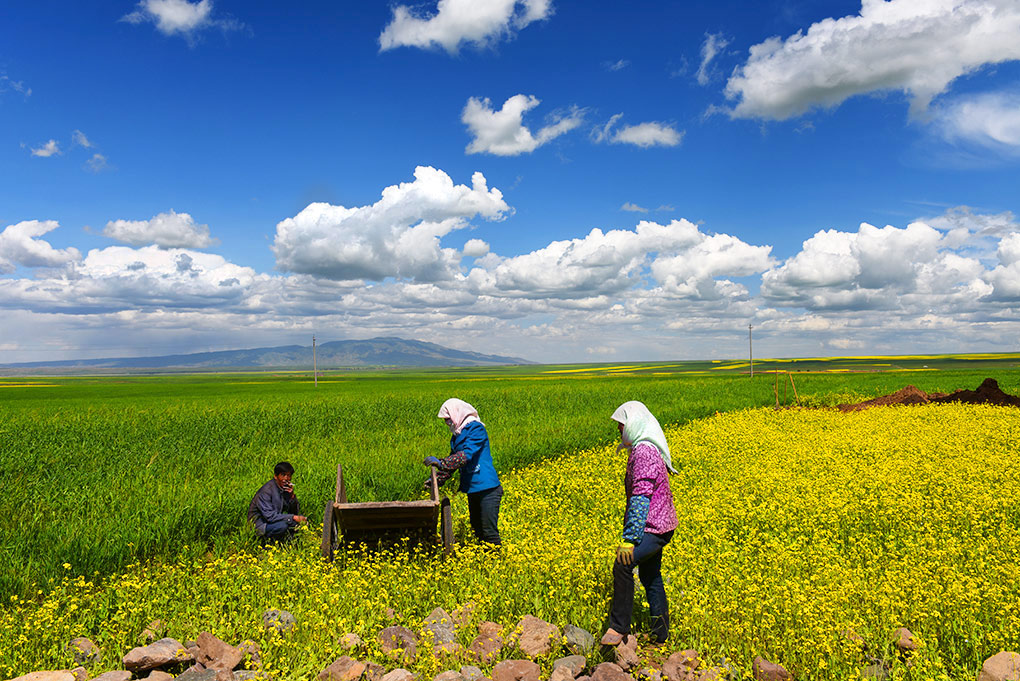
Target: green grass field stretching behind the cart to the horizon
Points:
(103, 472)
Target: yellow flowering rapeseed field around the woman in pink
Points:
(795, 528)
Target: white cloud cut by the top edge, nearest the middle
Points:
(478, 22)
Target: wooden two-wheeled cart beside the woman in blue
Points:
(373, 521)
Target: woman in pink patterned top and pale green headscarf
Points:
(648, 523)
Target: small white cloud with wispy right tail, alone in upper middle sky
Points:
(503, 133)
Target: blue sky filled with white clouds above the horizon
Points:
(566, 182)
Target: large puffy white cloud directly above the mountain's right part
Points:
(398, 236)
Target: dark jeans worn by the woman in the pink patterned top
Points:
(648, 559)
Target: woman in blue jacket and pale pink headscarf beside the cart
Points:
(470, 454)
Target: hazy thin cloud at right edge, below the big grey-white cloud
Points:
(992, 121)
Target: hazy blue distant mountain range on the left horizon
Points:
(375, 352)
